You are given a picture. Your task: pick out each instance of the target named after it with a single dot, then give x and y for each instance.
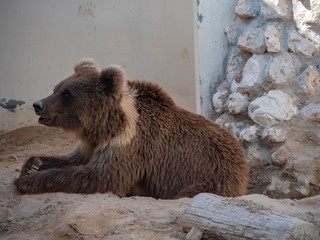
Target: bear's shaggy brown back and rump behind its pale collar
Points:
(187, 147)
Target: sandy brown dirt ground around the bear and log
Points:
(97, 216)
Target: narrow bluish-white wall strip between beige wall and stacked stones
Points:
(211, 48)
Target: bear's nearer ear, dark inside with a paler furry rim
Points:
(113, 79)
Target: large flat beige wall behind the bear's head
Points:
(41, 40)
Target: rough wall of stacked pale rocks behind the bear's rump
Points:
(270, 96)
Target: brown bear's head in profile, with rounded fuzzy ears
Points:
(97, 105)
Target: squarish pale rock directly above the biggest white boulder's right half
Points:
(282, 71)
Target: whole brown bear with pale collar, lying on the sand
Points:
(132, 136)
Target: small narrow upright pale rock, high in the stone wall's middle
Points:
(273, 38)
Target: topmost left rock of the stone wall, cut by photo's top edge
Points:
(247, 8)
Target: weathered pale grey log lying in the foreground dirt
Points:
(233, 218)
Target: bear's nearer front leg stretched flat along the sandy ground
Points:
(75, 179)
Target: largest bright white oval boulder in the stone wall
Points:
(274, 107)
